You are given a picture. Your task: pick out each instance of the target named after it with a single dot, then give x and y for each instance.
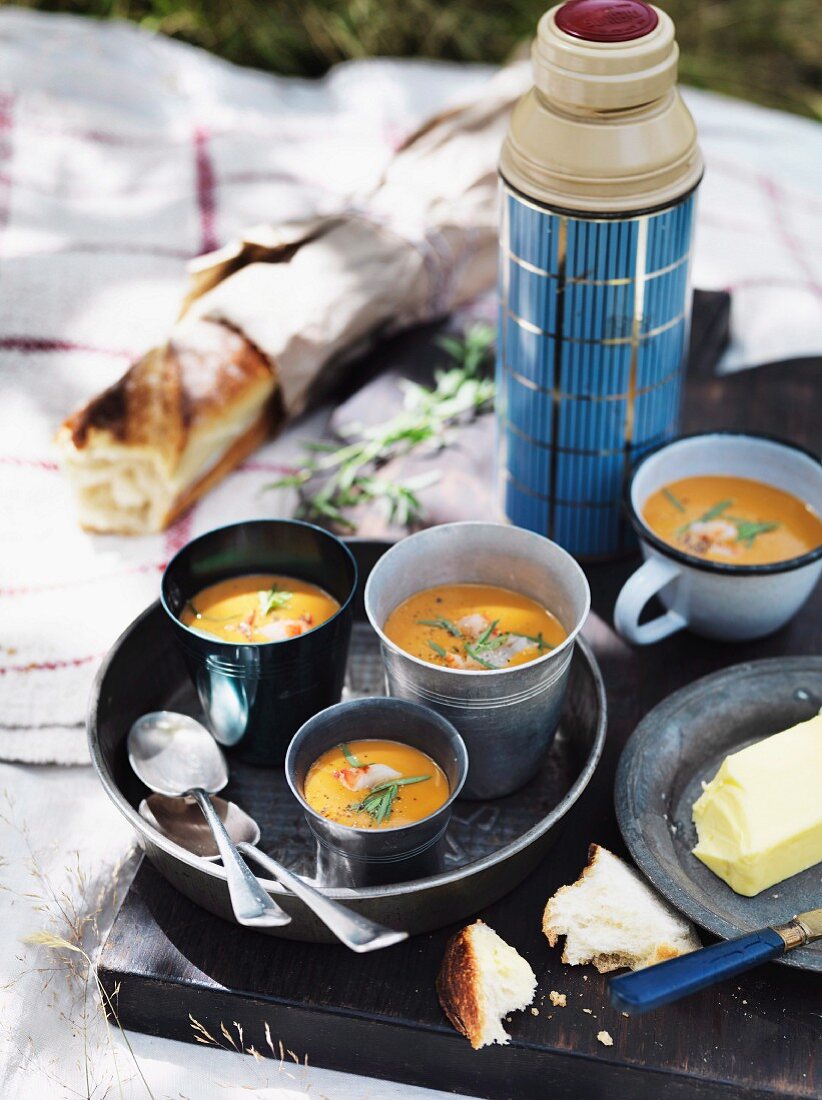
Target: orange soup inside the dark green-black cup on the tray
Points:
(259, 608)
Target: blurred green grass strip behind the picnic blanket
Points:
(768, 51)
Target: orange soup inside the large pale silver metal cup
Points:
(474, 626)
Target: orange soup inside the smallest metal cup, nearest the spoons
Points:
(376, 785)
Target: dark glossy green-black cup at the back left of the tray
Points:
(257, 696)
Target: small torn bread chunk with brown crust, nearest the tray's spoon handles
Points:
(481, 981)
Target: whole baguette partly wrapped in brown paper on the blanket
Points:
(269, 318)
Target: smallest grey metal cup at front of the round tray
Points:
(364, 857)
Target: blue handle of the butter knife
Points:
(667, 982)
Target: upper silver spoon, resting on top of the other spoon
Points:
(174, 755)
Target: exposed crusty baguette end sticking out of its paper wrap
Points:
(146, 449)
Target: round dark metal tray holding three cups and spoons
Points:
(492, 846)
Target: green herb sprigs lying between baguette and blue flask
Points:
(348, 476)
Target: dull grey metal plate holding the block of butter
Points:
(679, 745)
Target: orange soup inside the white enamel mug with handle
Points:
(733, 520)
